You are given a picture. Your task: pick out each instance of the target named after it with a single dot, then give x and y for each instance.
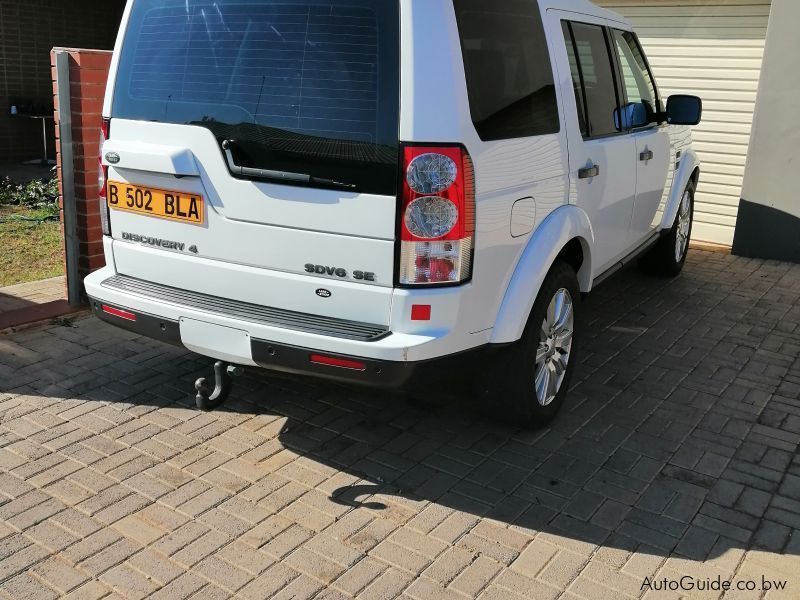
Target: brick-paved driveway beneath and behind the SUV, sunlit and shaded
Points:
(677, 455)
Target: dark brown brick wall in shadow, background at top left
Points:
(28, 30)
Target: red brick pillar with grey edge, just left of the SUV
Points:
(88, 73)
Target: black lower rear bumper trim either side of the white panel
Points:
(297, 360)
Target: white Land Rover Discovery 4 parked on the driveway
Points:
(380, 191)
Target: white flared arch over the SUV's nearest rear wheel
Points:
(566, 234)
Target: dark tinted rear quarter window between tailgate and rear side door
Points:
(508, 69)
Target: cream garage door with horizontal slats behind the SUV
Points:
(711, 48)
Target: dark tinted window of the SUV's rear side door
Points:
(593, 78)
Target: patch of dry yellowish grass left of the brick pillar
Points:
(29, 251)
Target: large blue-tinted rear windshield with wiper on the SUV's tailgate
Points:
(297, 85)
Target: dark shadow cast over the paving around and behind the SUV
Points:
(680, 433)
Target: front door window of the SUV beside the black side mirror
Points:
(640, 90)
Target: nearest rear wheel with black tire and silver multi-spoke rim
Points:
(513, 388)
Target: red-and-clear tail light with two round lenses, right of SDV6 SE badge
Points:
(437, 216)
